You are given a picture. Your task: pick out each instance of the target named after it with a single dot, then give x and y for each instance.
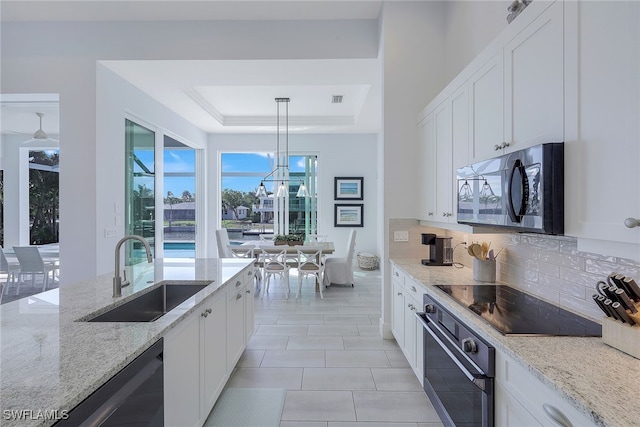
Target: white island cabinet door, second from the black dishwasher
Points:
(214, 355)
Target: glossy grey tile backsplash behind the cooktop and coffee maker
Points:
(550, 267)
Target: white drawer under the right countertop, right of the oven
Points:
(543, 402)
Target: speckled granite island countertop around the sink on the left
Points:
(50, 361)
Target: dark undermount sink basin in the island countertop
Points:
(151, 305)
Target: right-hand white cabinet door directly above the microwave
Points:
(533, 82)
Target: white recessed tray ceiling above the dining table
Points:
(239, 96)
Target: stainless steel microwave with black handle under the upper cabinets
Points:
(522, 191)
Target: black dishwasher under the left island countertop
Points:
(133, 397)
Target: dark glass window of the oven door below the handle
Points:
(458, 396)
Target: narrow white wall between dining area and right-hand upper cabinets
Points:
(412, 52)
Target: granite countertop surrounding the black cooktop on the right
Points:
(596, 379)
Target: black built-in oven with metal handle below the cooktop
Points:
(459, 369)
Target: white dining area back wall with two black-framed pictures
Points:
(338, 155)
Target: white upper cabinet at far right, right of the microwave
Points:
(602, 148)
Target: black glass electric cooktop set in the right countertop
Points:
(513, 312)
